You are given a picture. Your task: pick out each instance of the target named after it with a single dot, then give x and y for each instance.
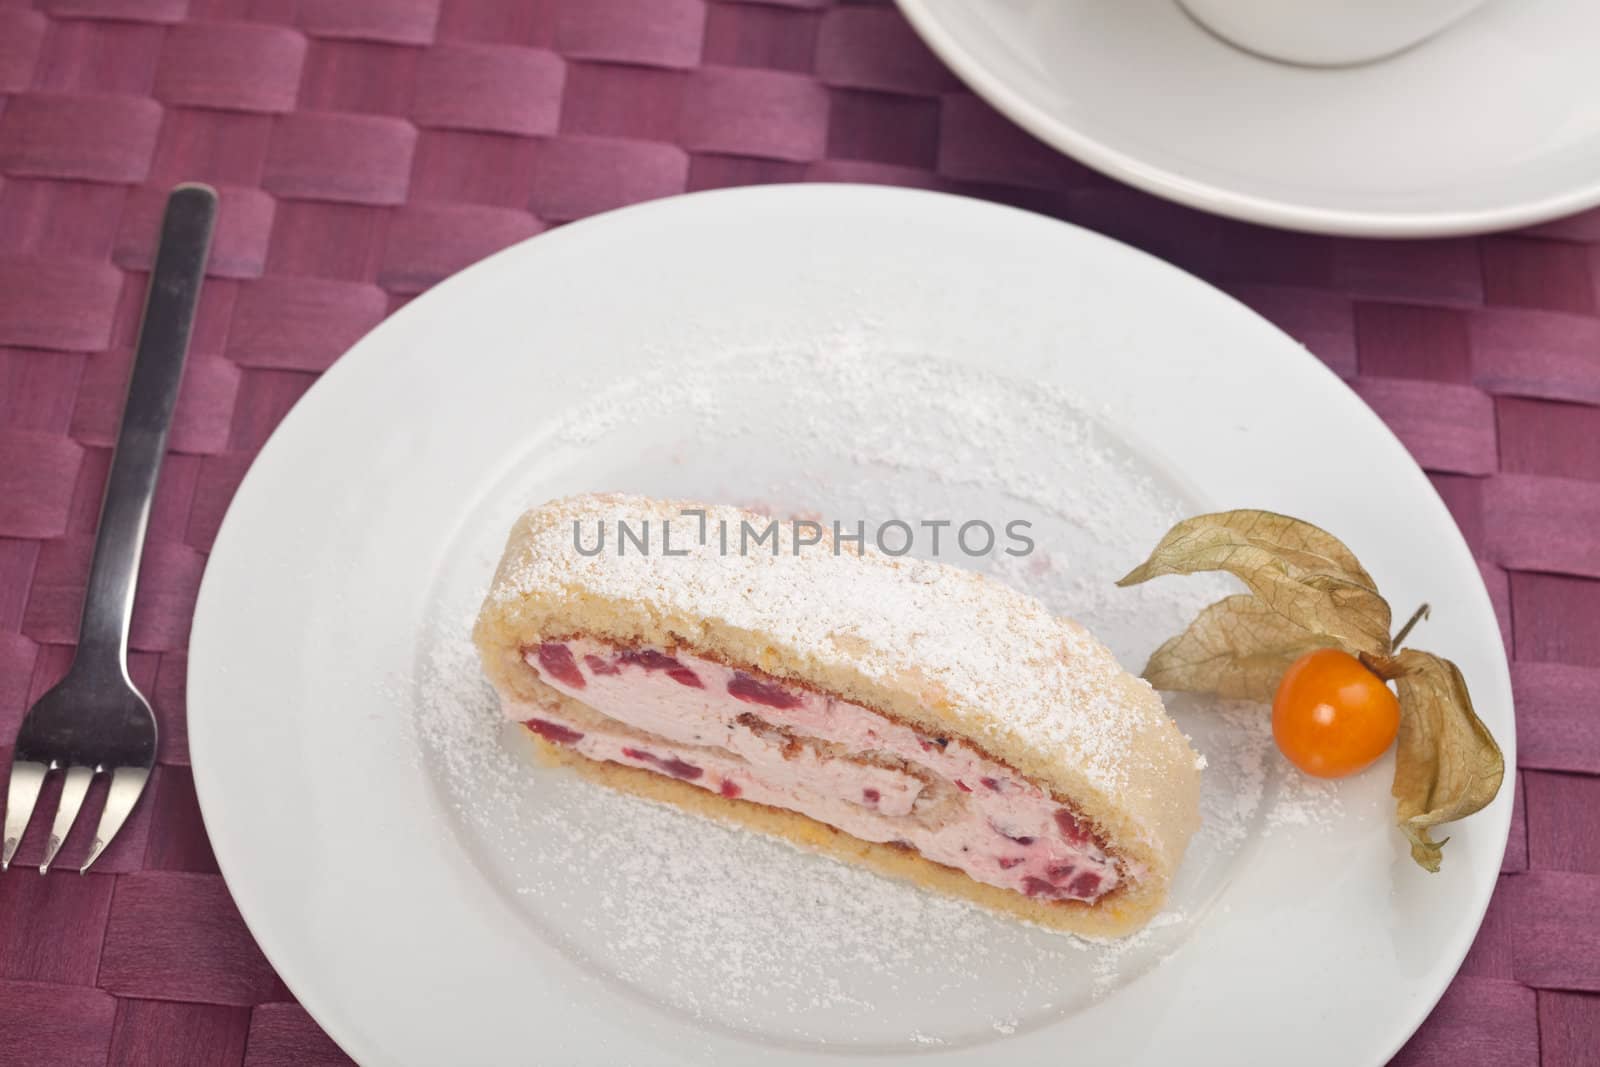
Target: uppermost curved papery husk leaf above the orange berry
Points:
(1303, 573)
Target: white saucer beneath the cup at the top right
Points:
(1489, 126)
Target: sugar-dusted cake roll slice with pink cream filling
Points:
(919, 719)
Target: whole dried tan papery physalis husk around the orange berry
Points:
(1308, 591)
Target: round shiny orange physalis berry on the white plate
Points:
(1332, 716)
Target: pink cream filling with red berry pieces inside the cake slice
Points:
(751, 737)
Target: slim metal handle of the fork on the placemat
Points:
(142, 442)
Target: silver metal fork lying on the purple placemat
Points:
(95, 722)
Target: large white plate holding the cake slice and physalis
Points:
(863, 353)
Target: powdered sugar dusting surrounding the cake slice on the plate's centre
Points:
(746, 933)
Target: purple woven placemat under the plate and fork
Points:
(369, 148)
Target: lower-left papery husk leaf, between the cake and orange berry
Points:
(1238, 649)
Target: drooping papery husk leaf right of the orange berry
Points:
(1447, 764)
